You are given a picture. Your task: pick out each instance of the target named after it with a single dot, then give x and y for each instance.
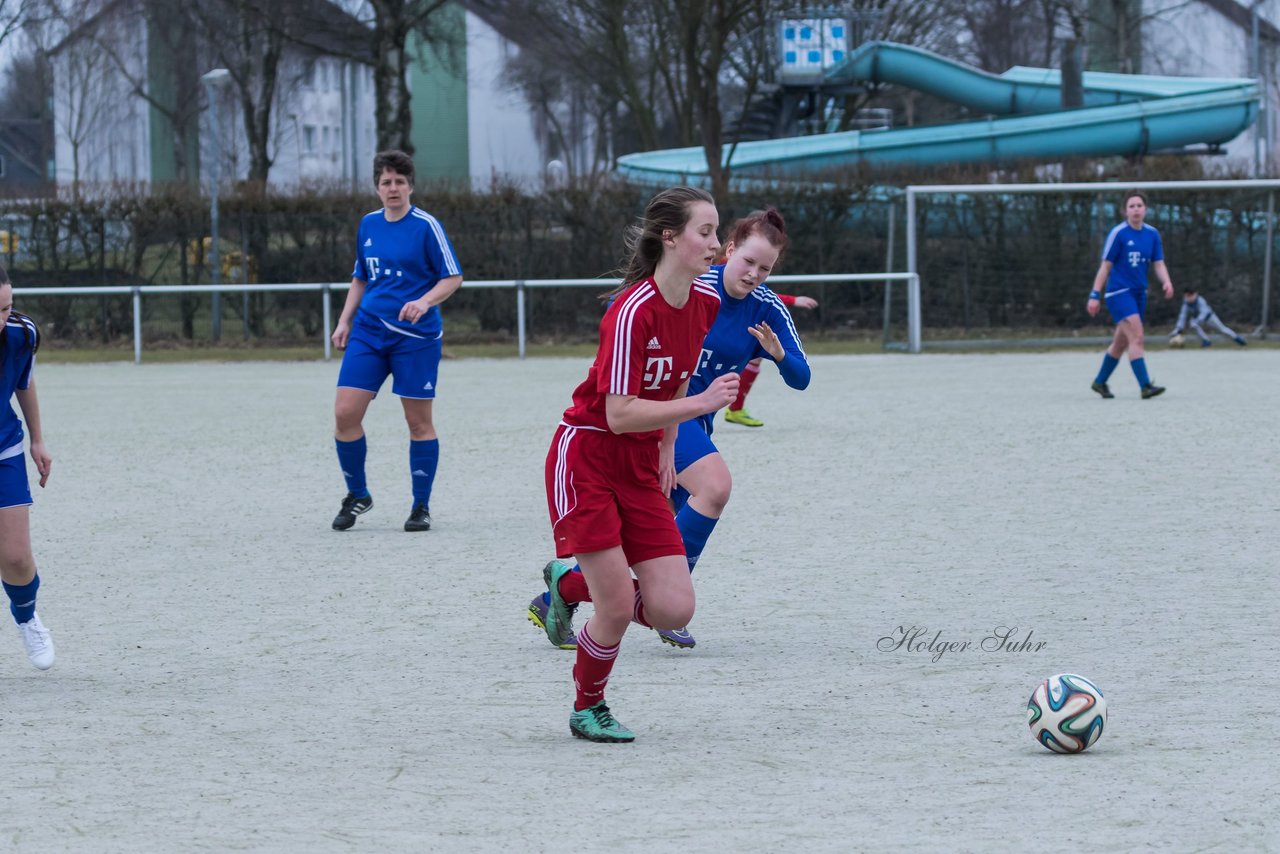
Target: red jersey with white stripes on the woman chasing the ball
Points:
(648, 349)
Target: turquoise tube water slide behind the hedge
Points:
(1122, 116)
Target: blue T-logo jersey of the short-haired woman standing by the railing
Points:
(400, 262)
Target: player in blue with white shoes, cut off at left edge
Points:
(19, 344)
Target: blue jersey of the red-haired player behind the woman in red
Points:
(729, 346)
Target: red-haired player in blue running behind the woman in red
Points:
(752, 323)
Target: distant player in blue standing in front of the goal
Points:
(1131, 249)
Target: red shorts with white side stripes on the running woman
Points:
(602, 491)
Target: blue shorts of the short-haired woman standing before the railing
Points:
(373, 353)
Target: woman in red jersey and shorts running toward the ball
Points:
(611, 465)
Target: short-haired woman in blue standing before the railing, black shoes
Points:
(391, 325)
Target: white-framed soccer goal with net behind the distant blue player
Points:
(982, 262)
